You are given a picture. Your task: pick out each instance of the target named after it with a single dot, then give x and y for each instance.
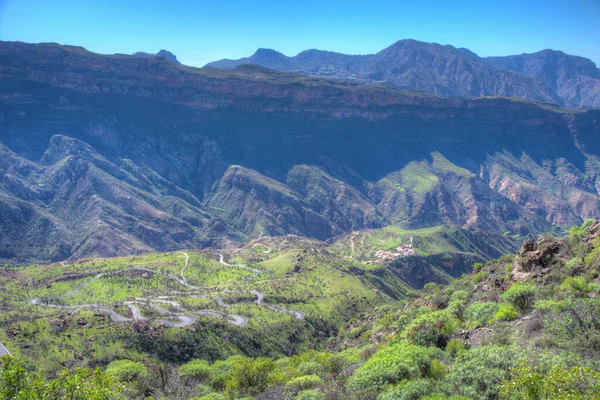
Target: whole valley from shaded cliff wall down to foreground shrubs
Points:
(179, 232)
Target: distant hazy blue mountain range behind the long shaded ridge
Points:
(547, 76)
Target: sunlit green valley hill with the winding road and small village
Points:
(292, 284)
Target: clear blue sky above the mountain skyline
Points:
(200, 31)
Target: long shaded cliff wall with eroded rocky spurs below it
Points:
(174, 156)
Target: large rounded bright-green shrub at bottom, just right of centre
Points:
(393, 364)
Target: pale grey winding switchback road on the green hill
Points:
(181, 317)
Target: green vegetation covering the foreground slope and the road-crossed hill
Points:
(485, 335)
